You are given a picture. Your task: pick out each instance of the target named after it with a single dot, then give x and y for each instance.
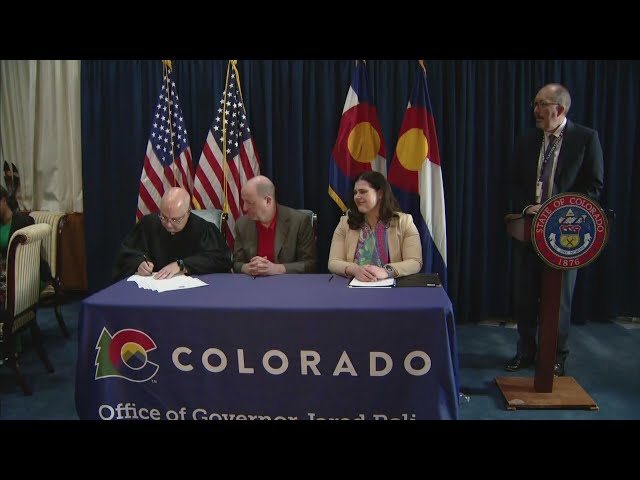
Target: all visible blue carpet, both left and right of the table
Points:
(604, 360)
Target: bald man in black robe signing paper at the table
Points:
(173, 242)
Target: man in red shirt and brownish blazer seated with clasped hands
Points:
(270, 238)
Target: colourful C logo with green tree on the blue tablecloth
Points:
(125, 355)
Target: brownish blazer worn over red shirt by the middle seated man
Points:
(295, 244)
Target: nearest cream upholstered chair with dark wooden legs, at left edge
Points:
(23, 296)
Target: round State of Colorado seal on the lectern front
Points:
(569, 231)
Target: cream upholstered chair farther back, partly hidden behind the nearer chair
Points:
(52, 253)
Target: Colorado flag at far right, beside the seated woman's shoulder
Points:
(416, 176)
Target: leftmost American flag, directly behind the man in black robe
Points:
(168, 141)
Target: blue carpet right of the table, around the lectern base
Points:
(604, 360)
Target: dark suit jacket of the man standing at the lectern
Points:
(580, 166)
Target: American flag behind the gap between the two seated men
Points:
(229, 135)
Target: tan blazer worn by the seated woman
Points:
(405, 249)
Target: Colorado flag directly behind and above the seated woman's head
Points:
(360, 144)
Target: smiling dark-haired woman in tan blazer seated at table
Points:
(375, 240)
